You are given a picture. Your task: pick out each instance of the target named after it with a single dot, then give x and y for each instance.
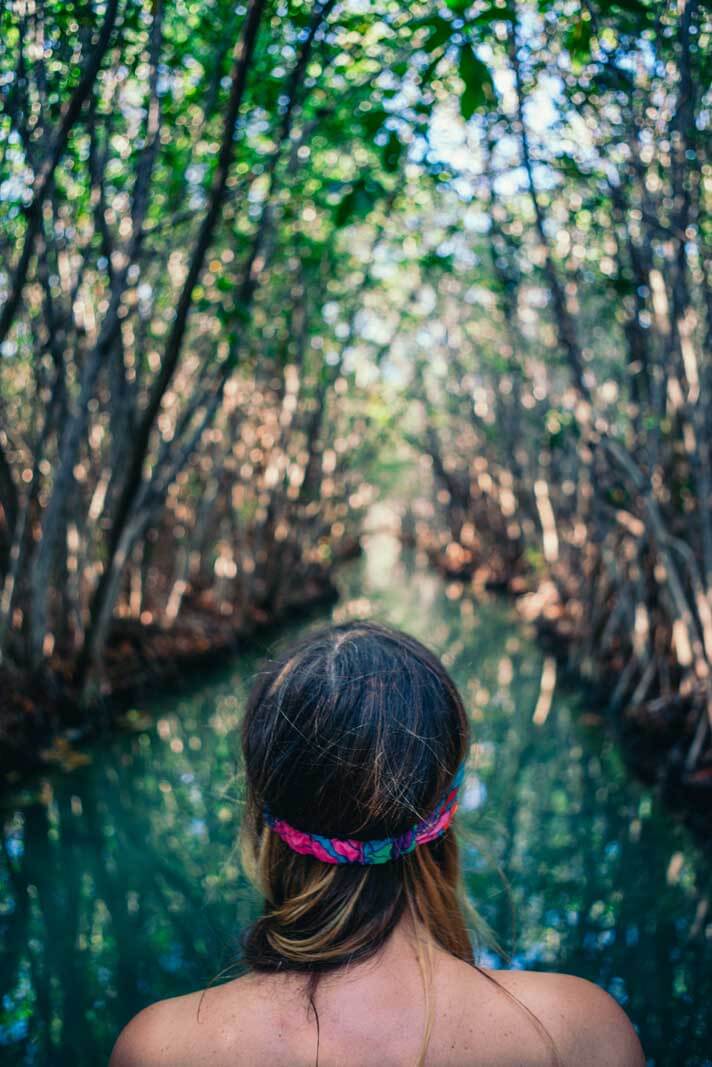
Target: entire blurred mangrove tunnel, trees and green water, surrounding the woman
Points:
(339, 310)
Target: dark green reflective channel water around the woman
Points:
(120, 885)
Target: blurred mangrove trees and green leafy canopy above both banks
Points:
(264, 262)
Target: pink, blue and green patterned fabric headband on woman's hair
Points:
(350, 851)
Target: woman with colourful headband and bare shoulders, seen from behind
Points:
(355, 744)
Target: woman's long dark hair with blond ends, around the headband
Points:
(355, 732)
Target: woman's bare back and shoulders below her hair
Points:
(373, 1015)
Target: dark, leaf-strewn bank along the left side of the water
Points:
(41, 723)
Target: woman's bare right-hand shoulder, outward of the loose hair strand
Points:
(588, 1026)
